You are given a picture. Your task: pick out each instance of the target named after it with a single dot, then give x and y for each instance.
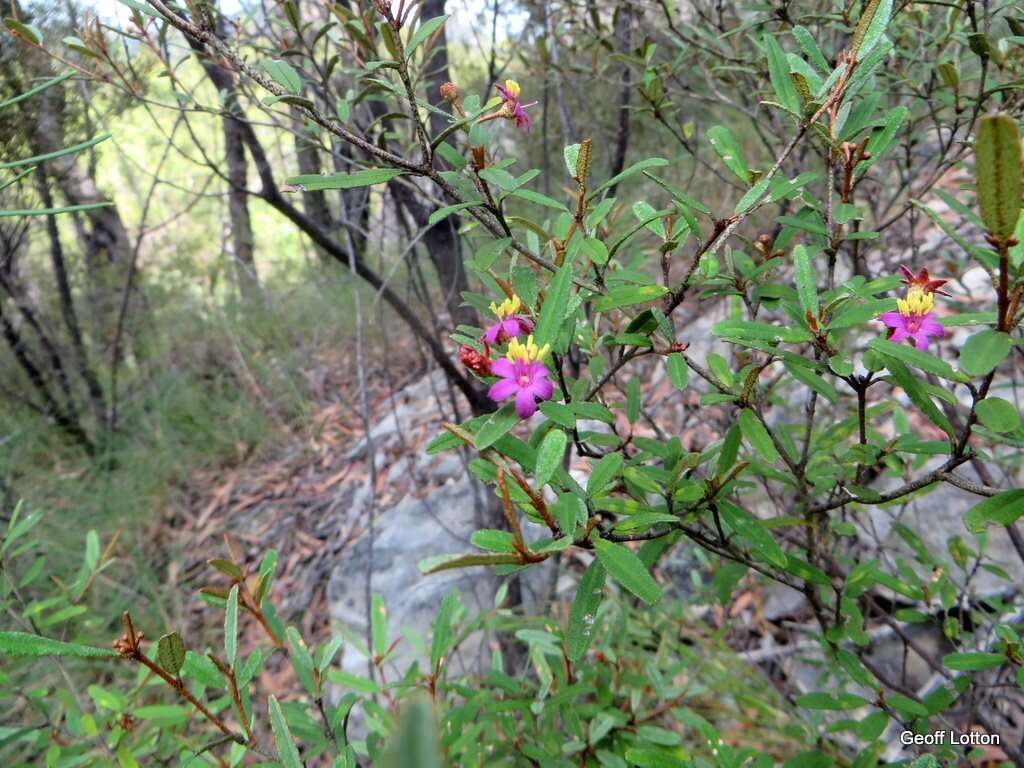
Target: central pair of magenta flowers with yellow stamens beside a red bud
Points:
(522, 373)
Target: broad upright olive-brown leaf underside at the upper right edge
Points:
(998, 169)
